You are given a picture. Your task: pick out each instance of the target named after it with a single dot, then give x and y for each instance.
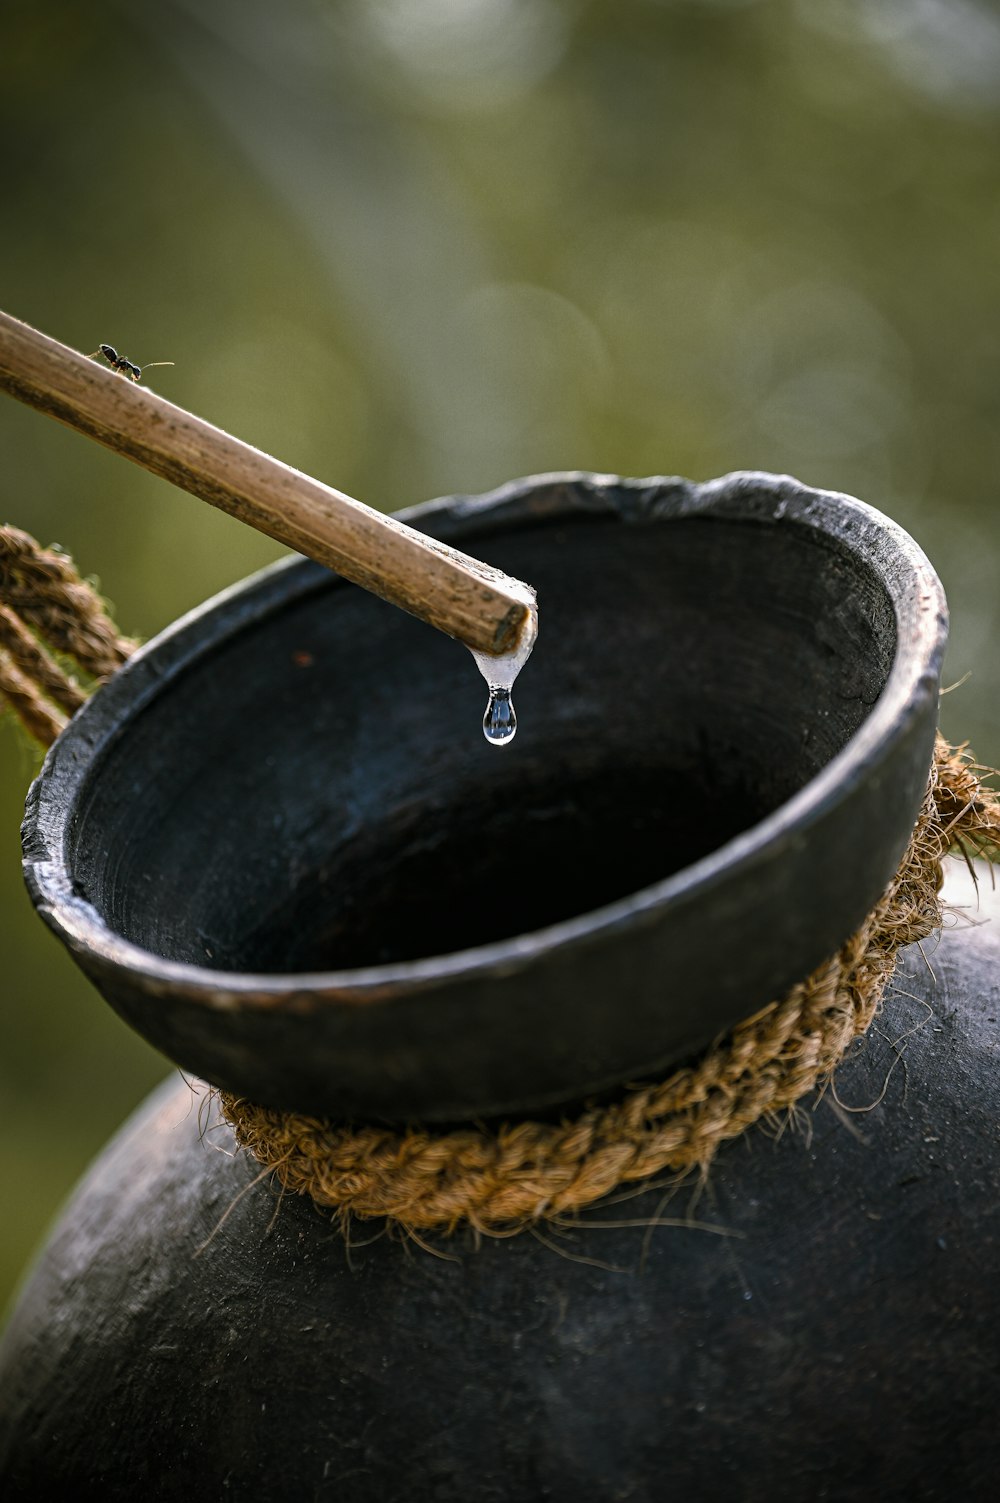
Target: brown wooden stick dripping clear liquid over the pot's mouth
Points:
(446, 588)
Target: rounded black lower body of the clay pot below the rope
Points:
(835, 1337)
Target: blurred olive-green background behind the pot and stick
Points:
(416, 247)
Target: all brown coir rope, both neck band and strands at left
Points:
(526, 1173)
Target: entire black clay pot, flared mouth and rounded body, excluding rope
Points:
(282, 848)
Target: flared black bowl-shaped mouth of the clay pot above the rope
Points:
(283, 851)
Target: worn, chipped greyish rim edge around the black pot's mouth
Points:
(894, 557)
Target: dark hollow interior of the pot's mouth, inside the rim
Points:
(315, 791)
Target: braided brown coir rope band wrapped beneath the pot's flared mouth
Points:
(527, 1172)
